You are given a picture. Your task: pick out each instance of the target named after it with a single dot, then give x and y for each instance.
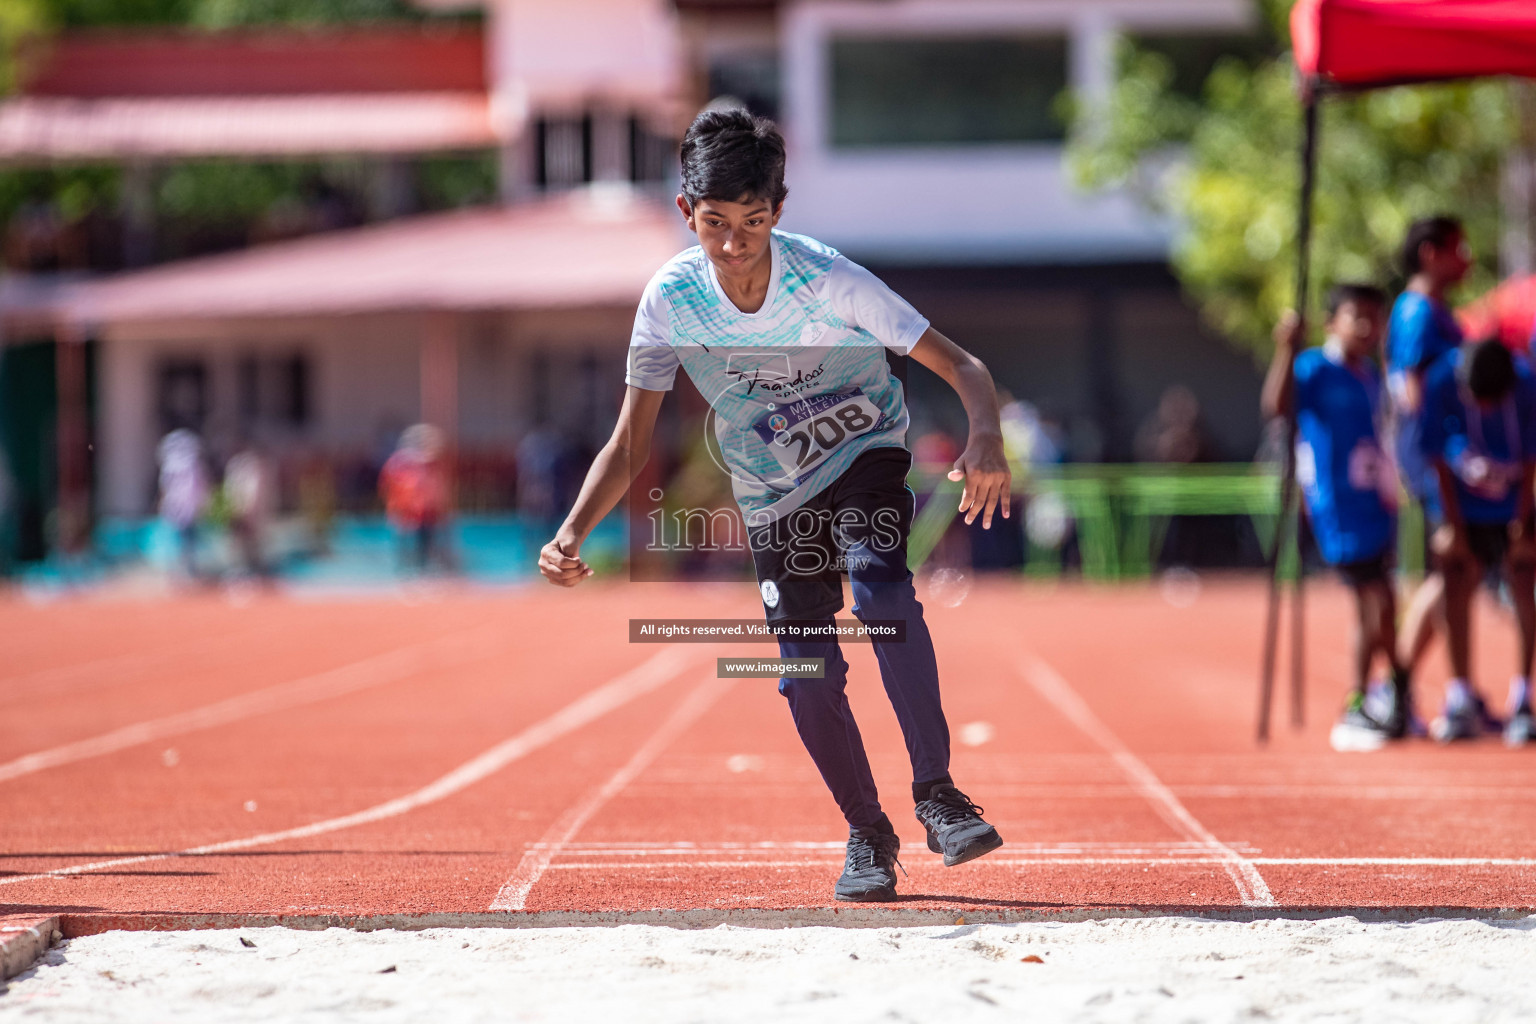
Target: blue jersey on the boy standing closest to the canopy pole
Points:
(1343, 471)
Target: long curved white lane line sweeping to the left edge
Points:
(594, 705)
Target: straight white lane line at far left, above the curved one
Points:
(371, 672)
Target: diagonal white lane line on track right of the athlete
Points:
(1059, 695)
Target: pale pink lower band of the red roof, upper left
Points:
(44, 130)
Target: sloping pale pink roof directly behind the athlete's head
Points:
(586, 249)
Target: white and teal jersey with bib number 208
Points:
(801, 388)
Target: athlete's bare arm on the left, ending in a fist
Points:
(607, 481)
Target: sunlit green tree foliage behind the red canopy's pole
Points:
(1225, 167)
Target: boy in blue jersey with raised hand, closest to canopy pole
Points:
(1349, 487)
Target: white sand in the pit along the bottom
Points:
(1165, 969)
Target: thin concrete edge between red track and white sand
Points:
(79, 925)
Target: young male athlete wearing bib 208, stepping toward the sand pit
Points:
(787, 342)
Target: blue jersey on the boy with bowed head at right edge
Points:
(1486, 449)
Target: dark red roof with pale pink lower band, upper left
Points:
(170, 96)
